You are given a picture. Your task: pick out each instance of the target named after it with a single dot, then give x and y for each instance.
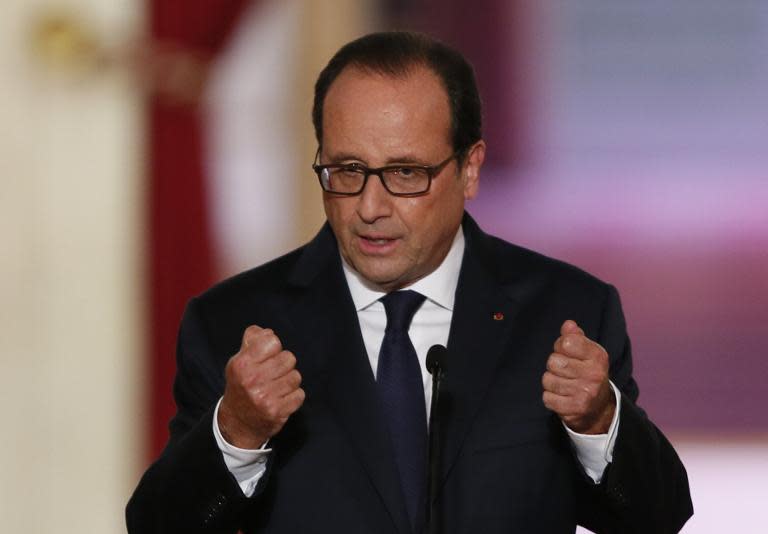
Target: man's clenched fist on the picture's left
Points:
(262, 390)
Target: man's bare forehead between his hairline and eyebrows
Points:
(376, 109)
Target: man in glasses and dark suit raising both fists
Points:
(318, 423)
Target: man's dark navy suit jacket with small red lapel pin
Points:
(507, 463)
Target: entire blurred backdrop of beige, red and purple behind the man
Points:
(150, 148)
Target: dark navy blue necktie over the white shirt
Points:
(401, 390)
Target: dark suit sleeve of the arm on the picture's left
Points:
(189, 488)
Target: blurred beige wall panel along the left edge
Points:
(70, 338)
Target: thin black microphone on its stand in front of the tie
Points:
(435, 360)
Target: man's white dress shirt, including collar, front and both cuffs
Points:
(430, 326)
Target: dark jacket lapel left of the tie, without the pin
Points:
(331, 332)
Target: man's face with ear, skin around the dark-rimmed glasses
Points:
(378, 120)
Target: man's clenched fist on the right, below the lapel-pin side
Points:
(576, 383)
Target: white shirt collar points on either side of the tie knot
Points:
(439, 286)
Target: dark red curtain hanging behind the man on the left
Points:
(185, 36)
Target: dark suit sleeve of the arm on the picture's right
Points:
(645, 488)
